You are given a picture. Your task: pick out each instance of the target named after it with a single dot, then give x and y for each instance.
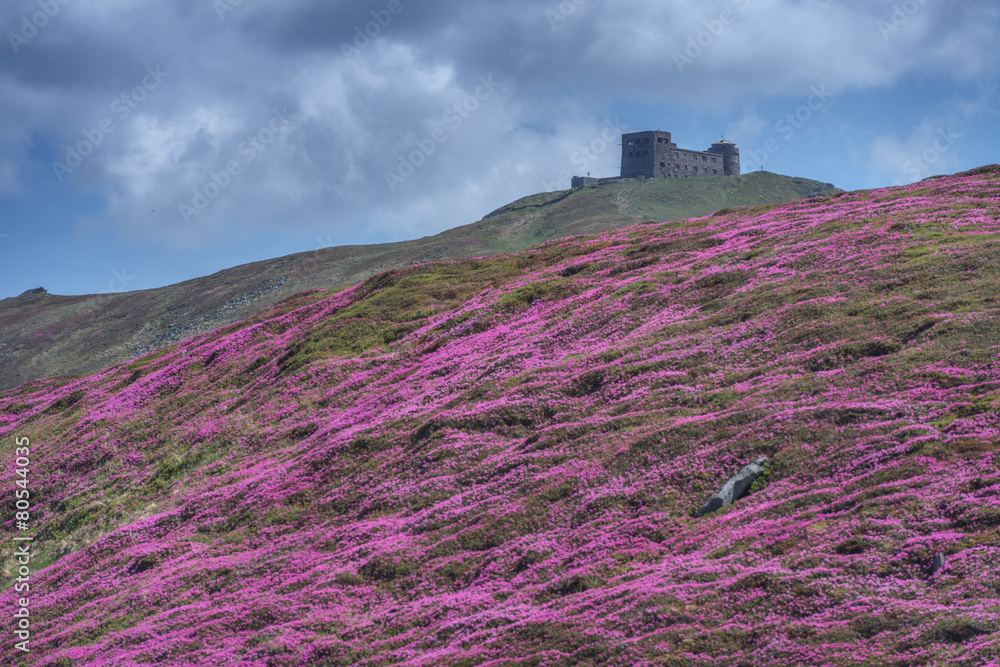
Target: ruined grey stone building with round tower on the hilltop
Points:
(651, 154)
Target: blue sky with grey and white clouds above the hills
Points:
(147, 143)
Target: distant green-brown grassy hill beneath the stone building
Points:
(42, 335)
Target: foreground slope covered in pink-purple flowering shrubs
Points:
(495, 461)
